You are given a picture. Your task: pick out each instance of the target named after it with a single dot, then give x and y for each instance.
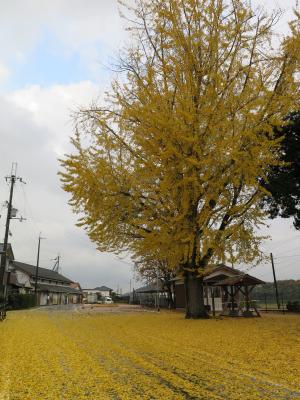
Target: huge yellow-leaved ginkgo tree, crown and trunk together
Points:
(178, 151)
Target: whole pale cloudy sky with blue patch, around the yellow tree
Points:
(55, 57)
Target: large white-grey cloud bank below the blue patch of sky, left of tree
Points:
(35, 124)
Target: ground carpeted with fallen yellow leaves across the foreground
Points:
(71, 355)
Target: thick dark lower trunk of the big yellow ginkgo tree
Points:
(194, 298)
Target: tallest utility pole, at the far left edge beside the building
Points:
(3, 279)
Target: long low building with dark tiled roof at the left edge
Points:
(52, 287)
